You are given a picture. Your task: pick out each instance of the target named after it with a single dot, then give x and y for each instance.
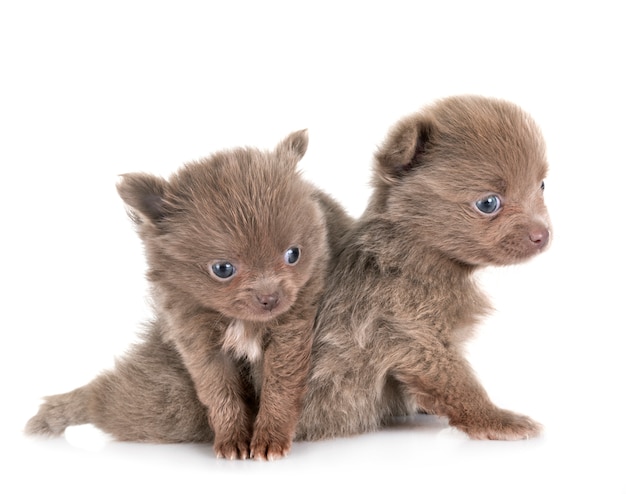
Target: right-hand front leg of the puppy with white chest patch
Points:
(285, 370)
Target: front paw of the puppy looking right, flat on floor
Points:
(500, 425)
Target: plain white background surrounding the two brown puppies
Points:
(89, 90)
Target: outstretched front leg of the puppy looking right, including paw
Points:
(444, 383)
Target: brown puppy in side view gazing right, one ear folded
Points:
(457, 186)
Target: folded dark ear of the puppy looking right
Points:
(404, 147)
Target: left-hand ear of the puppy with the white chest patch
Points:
(146, 195)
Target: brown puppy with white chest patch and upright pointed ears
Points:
(237, 250)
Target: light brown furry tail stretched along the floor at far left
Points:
(58, 412)
